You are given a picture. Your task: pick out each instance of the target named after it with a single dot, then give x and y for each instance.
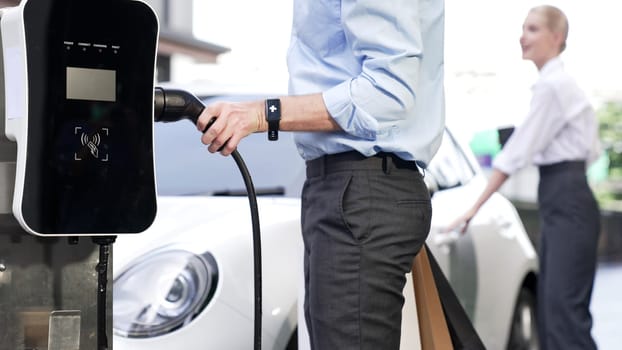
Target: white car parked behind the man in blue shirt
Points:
(187, 282)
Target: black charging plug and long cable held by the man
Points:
(171, 105)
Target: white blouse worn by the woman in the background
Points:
(560, 125)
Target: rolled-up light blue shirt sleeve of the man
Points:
(386, 37)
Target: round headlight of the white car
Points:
(161, 292)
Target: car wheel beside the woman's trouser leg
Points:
(524, 331)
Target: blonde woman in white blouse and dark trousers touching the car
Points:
(560, 136)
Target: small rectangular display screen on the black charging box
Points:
(91, 84)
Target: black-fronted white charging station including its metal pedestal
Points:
(78, 88)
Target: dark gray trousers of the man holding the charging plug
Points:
(363, 222)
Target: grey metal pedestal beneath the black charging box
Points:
(47, 298)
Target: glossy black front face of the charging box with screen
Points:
(90, 116)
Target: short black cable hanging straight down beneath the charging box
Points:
(105, 244)
